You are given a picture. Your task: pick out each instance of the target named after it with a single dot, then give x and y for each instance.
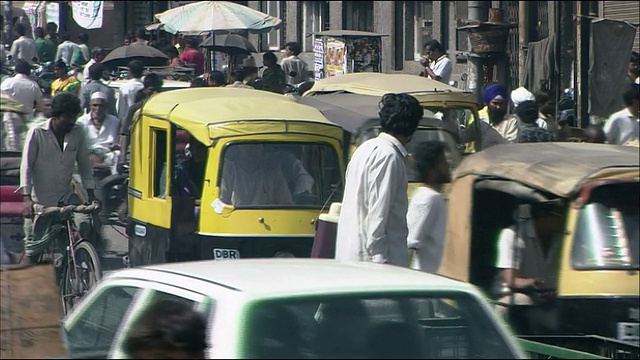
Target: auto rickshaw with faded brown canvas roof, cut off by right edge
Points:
(591, 252)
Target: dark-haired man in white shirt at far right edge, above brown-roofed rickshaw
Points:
(623, 127)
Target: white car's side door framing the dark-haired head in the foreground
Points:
(156, 292)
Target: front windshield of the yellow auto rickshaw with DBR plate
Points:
(279, 174)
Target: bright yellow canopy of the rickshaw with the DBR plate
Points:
(209, 114)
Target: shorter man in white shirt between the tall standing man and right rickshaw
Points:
(427, 214)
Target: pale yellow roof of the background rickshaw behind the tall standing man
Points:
(378, 84)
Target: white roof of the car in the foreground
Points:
(273, 277)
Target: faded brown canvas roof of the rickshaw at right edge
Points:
(558, 168)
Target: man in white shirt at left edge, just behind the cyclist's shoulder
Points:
(27, 92)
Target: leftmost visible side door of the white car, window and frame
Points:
(90, 330)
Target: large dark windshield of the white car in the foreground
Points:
(447, 326)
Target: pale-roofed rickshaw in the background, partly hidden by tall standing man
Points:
(351, 101)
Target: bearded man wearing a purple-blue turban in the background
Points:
(494, 96)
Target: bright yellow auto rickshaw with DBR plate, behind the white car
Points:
(267, 166)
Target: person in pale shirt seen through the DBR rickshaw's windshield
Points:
(246, 180)
